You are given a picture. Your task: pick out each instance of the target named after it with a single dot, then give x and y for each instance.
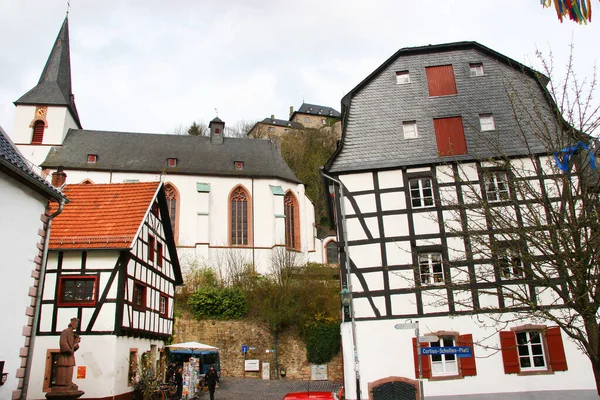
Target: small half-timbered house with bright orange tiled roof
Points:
(112, 264)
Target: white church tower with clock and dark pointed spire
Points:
(44, 115)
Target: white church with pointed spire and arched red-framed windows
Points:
(229, 198)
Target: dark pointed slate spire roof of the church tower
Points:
(54, 86)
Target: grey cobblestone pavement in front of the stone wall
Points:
(258, 389)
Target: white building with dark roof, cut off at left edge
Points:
(25, 225)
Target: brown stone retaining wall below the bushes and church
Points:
(229, 336)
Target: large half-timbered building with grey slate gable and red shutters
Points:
(420, 134)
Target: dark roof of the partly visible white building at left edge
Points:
(14, 164)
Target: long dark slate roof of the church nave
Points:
(142, 152)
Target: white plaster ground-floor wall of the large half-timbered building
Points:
(384, 351)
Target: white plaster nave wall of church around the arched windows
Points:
(206, 243)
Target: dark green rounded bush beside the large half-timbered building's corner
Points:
(322, 342)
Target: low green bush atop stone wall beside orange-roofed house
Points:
(218, 303)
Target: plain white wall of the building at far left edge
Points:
(19, 222)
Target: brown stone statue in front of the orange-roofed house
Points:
(69, 344)
